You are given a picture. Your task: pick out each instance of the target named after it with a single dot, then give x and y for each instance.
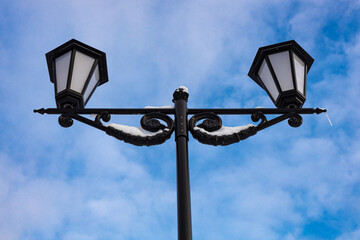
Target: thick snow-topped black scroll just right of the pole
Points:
(206, 131)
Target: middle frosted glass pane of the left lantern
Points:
(81, 70)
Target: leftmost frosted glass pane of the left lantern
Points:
(62, 64)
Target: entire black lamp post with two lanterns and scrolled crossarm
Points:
(77, 69)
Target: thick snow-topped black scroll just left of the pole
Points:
(150, 123)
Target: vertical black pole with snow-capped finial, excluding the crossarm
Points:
(182, 165)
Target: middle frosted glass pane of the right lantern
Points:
(281, 65)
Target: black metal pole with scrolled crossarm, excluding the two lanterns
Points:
(182, 126)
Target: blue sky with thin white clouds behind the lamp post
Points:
(78, 183)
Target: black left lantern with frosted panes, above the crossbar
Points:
(76, 69)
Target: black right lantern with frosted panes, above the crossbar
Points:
(281, 70)
